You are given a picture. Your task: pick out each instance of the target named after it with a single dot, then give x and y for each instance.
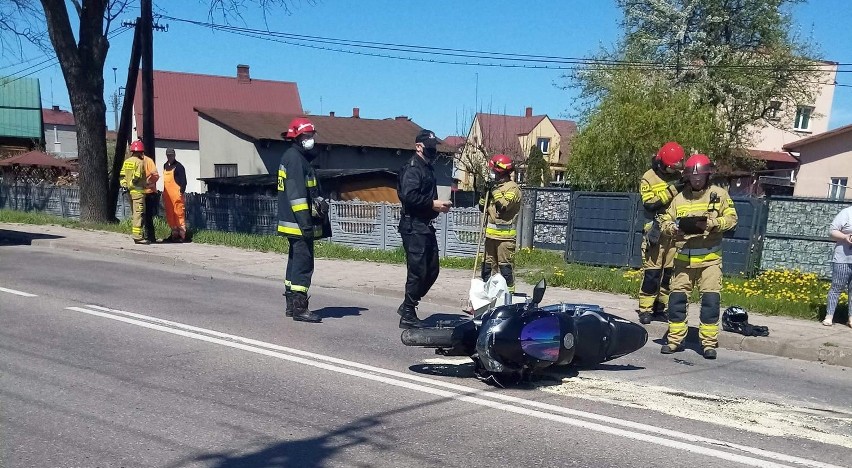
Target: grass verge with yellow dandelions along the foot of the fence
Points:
(784, 293)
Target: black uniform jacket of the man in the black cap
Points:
(417, 190)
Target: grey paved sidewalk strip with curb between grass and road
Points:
(827, 352)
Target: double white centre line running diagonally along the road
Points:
(466, 394)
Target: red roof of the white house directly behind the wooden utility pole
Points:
(177, 94)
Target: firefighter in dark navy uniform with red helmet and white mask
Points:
(302, 217)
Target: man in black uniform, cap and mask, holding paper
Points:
(418, 194)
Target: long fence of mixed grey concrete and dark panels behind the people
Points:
(589, 227)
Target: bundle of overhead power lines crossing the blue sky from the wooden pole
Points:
(527, 60)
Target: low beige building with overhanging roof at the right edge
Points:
(824, 164)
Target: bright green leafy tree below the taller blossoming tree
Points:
(617, 140)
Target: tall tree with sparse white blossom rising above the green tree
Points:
(737, 57)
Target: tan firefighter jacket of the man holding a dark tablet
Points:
(700, 250)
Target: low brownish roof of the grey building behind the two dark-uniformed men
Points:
(341, 131)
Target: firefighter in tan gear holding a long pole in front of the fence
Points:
(504, 204)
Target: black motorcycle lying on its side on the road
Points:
(511, 342)
